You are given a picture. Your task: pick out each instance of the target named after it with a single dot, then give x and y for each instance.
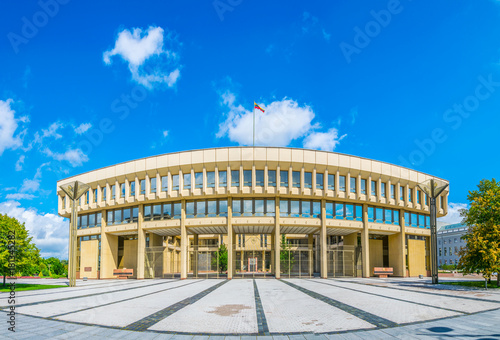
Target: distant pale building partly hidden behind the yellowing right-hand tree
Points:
(449, 243)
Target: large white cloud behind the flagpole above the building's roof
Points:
(281, 123)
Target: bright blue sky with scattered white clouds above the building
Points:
(89, 84)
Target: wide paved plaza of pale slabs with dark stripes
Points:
(250, 308)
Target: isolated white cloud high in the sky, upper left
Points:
(137, 48)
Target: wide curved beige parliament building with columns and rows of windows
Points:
(252, 211)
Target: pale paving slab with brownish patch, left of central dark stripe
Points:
(229, 309)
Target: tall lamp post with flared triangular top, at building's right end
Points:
(433, 188)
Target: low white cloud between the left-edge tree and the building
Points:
(49, 231)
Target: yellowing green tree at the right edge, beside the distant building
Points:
(482, 251)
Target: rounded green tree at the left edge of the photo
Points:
(16, 248)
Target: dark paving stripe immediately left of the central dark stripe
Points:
(150, 320)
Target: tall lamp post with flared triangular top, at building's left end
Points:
(74, 191)
